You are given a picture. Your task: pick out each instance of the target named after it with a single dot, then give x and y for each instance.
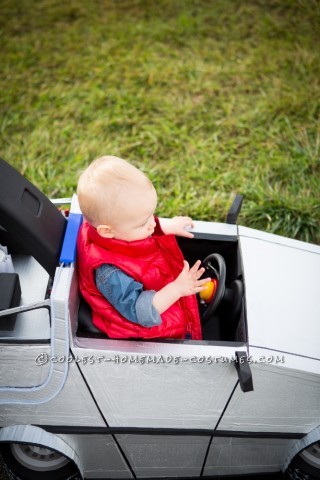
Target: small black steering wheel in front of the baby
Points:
(215, 263)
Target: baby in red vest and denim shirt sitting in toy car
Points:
(131, 270)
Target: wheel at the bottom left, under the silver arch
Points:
(33, 462)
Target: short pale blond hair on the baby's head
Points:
(101, 184)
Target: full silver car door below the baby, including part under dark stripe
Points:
(161, 400)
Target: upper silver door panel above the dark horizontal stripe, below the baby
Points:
(160, 385)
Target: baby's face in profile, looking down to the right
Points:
(137, 221)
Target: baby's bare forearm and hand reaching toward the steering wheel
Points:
(187, 283)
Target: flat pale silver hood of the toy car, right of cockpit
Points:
(282, 292)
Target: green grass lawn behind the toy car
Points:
(209, 97)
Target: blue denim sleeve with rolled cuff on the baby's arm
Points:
(127, 296)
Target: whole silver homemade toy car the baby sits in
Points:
(76, 404)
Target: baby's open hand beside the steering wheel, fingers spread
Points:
(188, 282)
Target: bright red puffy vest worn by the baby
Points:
(154, 262)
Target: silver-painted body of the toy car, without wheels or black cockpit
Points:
(124, 409)
